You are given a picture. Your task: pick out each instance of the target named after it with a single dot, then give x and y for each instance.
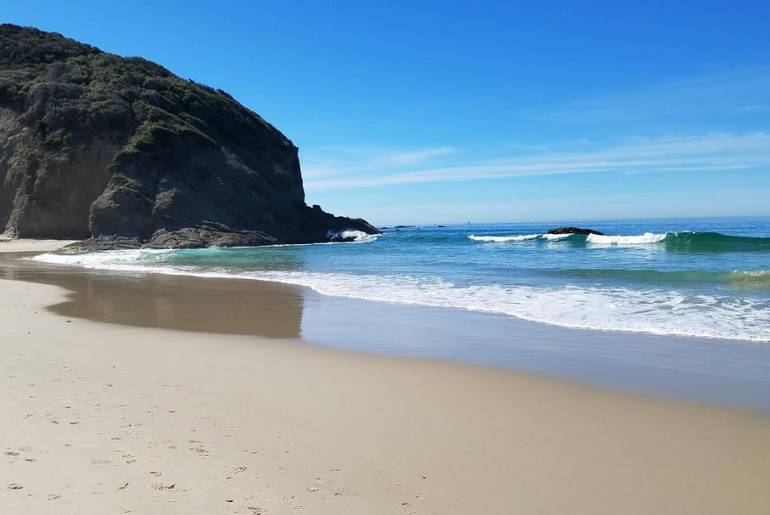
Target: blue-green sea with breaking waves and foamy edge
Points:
(694, 277)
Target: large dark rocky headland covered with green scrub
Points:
(122, 152)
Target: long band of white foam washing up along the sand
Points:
(621, 309)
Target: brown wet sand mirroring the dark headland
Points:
(168, 302)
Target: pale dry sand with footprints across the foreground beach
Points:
(105, 418)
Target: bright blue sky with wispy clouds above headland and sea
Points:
(446, 112)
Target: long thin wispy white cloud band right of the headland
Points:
(709, 152)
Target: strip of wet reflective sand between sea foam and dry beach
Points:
(726, 373)
